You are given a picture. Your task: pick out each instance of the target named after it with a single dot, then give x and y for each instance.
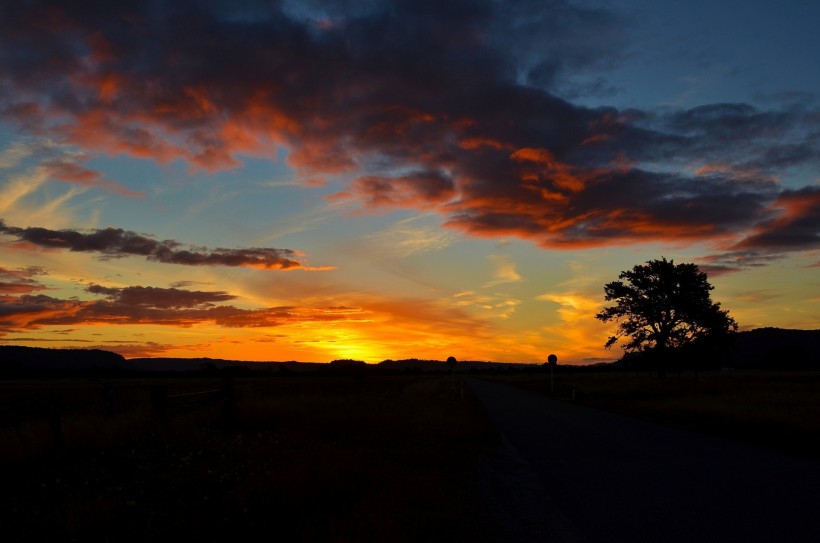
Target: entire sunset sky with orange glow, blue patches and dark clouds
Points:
(308, 180)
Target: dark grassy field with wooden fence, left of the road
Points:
(379, 458)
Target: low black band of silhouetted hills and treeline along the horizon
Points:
(763, 349)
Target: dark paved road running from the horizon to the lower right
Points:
(614, 478)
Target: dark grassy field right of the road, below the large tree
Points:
(775, 410)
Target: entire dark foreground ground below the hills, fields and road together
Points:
(410, 458)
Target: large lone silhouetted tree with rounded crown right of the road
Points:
(661, 305)
